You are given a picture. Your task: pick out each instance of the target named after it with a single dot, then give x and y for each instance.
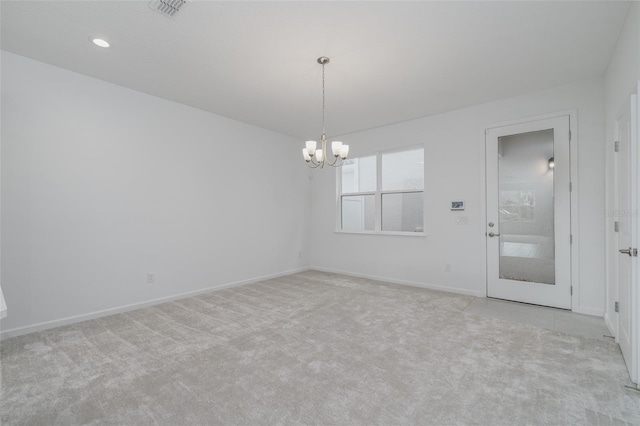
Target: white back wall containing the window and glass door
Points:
(454, 161)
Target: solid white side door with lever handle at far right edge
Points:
(626, 226)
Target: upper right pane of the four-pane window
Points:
(403, 170)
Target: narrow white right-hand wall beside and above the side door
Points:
(621, 80)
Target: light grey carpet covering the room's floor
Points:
(312, 348)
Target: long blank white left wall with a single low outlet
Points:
(102, 184)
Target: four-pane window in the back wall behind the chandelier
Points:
(382, 193)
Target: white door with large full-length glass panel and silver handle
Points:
(528, 212)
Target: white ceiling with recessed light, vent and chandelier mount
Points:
(256, 61)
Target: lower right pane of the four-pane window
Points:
(403, 212)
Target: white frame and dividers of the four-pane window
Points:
(378, 193)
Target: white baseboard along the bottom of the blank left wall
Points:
(18, 331)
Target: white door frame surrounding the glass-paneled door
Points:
(574, 223)
